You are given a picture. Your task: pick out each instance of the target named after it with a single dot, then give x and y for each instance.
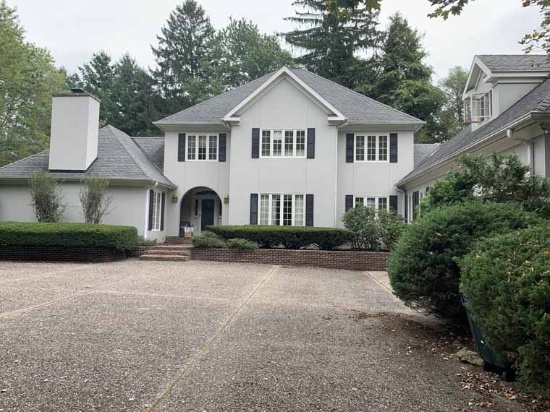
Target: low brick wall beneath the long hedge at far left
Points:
(59, 254)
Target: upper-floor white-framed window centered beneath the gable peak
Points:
(283, 143)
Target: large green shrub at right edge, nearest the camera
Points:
(507, 281)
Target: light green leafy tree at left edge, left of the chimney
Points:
(28, 78)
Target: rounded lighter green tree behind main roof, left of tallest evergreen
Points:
(244, 54)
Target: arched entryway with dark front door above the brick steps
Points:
(200, 207)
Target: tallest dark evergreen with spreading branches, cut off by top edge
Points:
(332, 34)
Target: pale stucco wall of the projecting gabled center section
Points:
(283, 107)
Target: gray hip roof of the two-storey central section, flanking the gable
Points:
(358, 108)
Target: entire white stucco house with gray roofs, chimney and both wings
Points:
(290, 148)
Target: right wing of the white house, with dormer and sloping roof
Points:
(507, 111)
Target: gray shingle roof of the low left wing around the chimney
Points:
(118, 158)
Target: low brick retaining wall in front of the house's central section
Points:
(332, 259)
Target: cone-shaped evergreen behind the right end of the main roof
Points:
(404, 80)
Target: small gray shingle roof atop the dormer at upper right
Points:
(516, 62)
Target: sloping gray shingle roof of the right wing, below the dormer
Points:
(534, 101)
